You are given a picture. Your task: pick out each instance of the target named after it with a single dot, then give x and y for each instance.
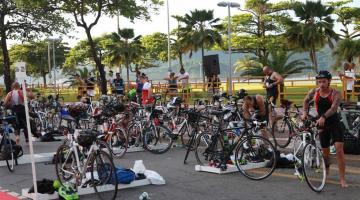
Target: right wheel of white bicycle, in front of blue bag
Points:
(103, 175)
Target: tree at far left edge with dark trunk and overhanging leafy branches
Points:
(25, 20)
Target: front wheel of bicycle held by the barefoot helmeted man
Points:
(314, 167)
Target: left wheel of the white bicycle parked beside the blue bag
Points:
(65, 163)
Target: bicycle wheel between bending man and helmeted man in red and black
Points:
(281, 130)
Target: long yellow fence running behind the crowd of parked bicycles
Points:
(294, 89)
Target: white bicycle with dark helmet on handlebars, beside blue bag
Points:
(82, 156)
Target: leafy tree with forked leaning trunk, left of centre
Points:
(80, 9)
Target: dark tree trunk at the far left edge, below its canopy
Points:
(6, 58)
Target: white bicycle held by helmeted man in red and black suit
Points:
(309, 161)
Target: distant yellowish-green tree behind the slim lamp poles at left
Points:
(35, 54)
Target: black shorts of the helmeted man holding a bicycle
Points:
(333, 132)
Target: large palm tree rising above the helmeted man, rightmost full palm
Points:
(313, 30)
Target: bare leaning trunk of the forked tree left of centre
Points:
(97, 60)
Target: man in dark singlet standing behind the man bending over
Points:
(271, 82)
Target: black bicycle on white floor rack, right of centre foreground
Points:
(254, 154)
